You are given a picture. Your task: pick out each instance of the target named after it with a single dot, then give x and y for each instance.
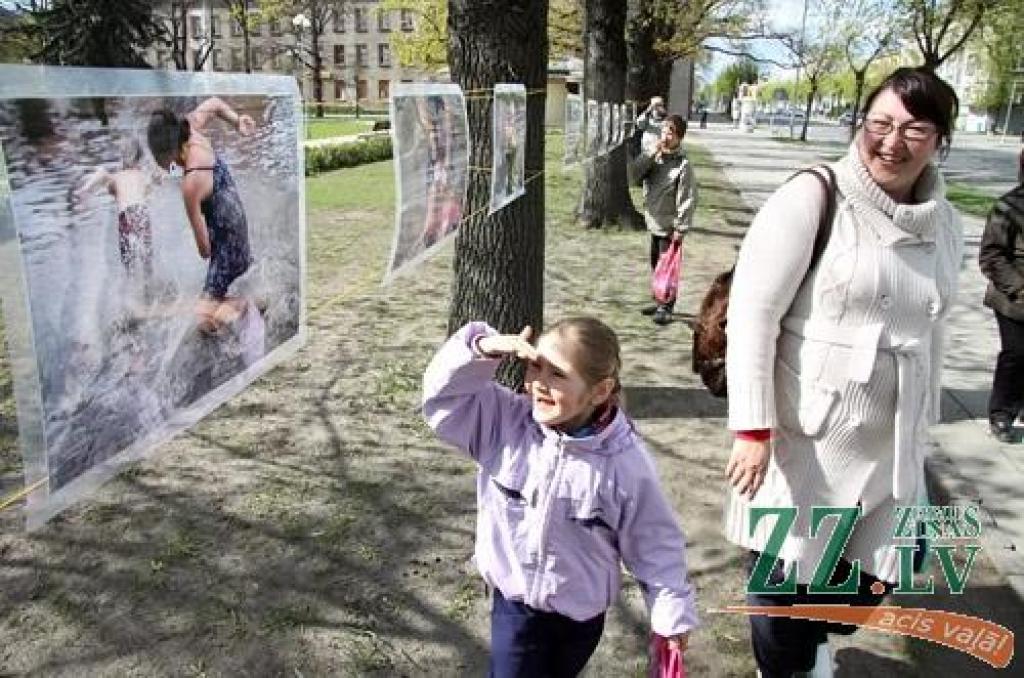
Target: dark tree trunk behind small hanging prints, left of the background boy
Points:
(606, 198)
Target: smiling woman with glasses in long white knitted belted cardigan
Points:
(834, 367)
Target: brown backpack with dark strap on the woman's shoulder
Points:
(709, 330)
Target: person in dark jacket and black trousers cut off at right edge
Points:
(1002, 260)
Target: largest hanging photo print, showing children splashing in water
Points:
(153, 241)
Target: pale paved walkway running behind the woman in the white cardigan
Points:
(968, 463)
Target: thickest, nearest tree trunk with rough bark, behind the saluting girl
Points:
(499, 260)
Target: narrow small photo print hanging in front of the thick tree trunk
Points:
(509, 147)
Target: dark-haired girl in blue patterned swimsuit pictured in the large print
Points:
(212, 203)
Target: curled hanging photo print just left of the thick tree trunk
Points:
(431, 138)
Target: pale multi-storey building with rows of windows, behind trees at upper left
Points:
(356, 48)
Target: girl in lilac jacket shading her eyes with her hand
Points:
(566, 493)
